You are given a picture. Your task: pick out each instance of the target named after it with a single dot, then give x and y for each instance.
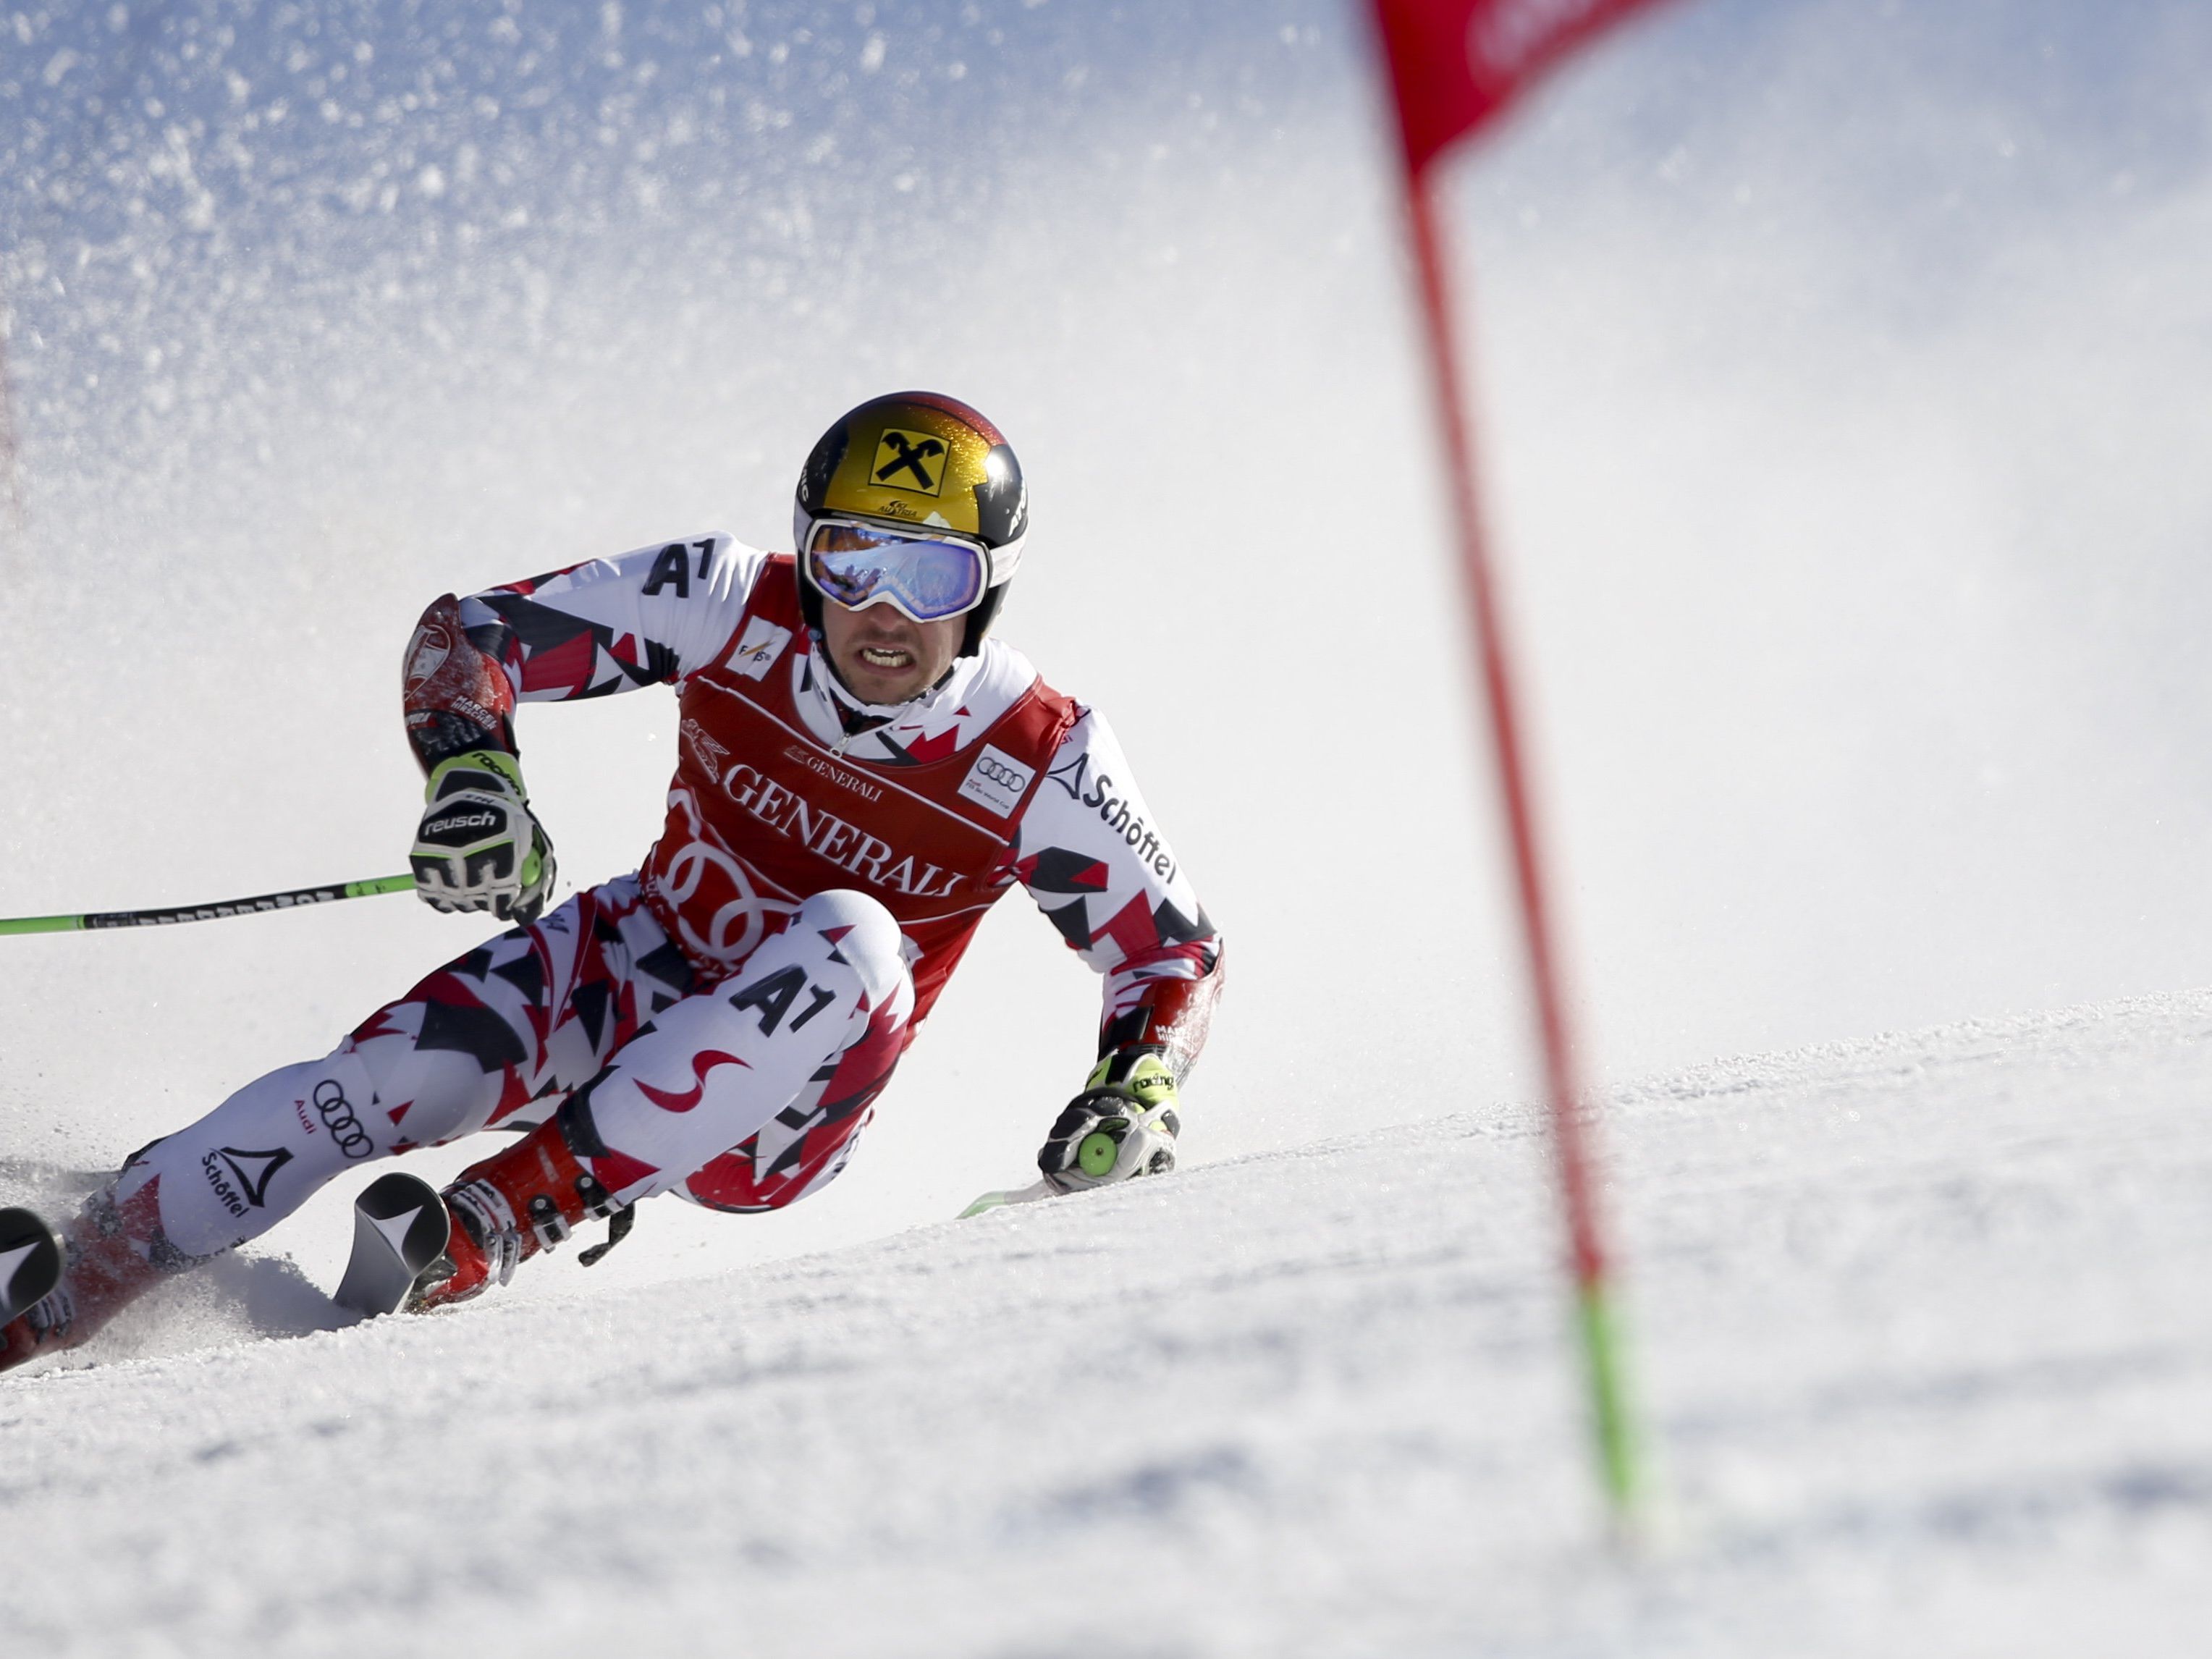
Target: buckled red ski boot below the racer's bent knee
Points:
(512, 1207)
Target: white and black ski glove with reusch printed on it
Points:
(481, 846)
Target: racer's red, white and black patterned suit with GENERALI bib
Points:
(722, 1021)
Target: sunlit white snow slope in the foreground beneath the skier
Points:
(1921, 1326)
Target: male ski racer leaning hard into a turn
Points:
(862, 775)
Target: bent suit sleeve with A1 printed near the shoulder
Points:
(645, 618)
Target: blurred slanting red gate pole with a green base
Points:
(1585, 1227)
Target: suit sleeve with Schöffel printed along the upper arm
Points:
(1103, 873)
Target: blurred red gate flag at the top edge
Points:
(1457, 63)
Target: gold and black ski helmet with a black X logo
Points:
(919, 461)
